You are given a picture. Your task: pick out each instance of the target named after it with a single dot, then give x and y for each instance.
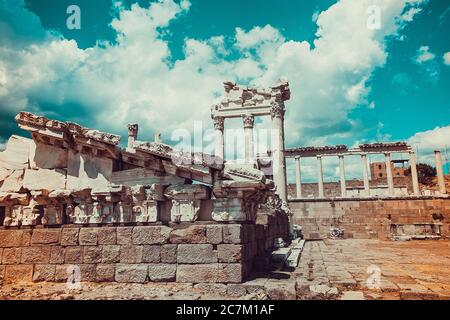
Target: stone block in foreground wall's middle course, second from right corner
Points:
(196, 253)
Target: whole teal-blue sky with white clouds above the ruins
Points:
(161, 64)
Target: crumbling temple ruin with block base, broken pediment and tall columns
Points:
(72, 199)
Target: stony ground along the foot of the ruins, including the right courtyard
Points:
(338, 269)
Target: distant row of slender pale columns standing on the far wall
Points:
(365, 171)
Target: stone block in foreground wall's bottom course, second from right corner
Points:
(200, 273)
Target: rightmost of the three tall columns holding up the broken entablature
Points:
(278, 160)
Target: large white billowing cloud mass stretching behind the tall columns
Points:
(137, 80)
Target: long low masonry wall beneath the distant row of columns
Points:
(374, 218)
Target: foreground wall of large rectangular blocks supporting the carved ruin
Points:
(192, 253)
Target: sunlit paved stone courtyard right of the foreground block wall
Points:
(408, 270)
